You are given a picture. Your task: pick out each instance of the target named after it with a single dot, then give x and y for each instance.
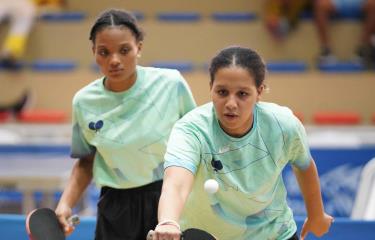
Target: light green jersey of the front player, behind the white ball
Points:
(251, 200)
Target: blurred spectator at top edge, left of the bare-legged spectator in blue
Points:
(282, 16)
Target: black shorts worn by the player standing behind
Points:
(127, 213)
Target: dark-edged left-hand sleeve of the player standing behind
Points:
(80, 147)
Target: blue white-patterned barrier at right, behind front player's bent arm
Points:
(339, 174)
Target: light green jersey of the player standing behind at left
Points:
(128, 131)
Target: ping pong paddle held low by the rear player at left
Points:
(42, 224)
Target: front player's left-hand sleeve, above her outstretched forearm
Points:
(183, 149)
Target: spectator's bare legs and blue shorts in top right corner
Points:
(324, 9)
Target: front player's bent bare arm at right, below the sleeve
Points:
(318, 222)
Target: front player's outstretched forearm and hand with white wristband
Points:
(177, 185)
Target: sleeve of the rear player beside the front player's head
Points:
(185, 97)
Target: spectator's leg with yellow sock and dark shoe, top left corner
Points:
(21, 15)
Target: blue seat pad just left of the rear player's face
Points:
(53, 65)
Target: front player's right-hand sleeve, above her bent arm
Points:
(299, 151)
